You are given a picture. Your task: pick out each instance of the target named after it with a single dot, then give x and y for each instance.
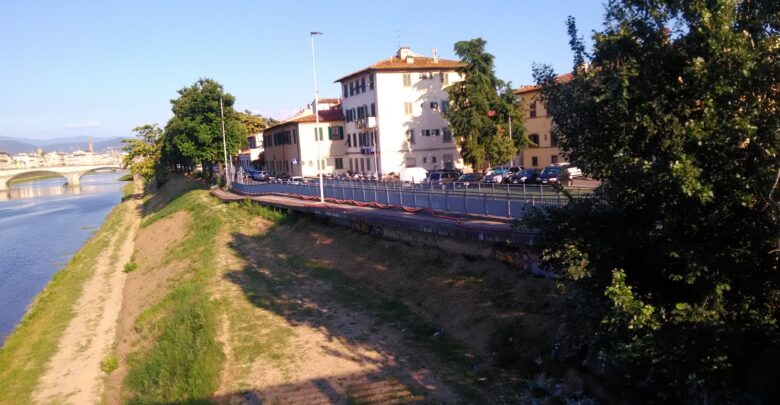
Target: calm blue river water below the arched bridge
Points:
(42, 224)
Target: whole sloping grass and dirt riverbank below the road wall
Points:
(237, 303)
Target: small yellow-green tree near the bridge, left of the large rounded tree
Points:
(144, 151)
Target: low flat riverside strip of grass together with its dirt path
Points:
(48, 326)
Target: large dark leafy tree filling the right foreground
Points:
(676, 254)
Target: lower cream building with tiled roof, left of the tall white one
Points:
(301, 147)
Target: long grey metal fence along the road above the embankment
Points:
(502, 200)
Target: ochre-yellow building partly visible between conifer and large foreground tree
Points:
(538, 125)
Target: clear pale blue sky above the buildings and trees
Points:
(100, 68)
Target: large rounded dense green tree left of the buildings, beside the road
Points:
(194, 133)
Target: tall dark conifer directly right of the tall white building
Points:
(478, 113)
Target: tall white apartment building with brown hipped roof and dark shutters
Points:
(393, 114)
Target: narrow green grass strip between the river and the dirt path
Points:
(28, 349)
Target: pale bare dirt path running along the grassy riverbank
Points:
(74, 374)
